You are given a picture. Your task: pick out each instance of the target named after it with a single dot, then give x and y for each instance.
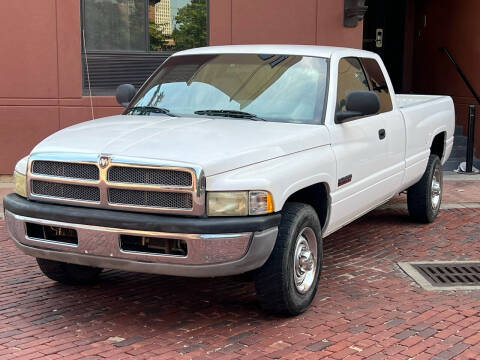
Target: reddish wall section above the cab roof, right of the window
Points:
(281, 21)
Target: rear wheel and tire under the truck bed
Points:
(425, 197)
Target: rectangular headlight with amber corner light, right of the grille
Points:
(239, 203)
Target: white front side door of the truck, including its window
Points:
(361, 150)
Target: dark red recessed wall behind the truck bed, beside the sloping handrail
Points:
(455, 25)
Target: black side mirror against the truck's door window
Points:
(359, 103)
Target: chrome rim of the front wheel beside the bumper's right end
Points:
(305, 260)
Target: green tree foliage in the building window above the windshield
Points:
(191, 25)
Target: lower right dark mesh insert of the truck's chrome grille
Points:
(157, 199)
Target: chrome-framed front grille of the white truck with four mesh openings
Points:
(122, 184)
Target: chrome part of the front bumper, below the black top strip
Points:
(208, 254)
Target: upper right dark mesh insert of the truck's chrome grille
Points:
(140, 175)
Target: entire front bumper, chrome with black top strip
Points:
(212, 251)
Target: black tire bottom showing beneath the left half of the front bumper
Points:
(70, 274)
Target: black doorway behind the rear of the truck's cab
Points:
(384, 34)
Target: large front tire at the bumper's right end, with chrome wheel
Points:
(276, 281)
